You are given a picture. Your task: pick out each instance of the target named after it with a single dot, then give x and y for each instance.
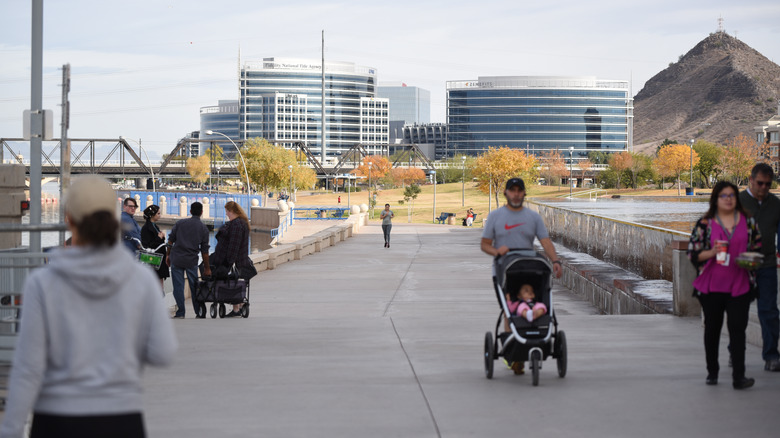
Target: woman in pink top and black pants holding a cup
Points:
(722, 286)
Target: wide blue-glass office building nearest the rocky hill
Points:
(538, 114)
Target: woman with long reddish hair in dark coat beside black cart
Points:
(232, 245)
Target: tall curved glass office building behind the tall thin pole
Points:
(281, 101)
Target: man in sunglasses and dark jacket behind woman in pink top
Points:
(765, 208)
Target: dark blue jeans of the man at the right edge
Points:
(768, 314)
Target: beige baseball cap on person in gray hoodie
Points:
(89, 194)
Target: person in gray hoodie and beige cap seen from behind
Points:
(91, 319)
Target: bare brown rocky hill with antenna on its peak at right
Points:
(719, 89)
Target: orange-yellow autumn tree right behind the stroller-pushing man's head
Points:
(495, 166)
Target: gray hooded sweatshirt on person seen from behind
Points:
(91, 319)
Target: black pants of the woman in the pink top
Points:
(715, 304)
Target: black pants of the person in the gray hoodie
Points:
(88, 426)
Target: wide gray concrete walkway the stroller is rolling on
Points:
(362, 341)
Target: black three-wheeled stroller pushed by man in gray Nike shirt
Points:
(525, 341)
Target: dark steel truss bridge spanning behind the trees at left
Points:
(89, 156)
